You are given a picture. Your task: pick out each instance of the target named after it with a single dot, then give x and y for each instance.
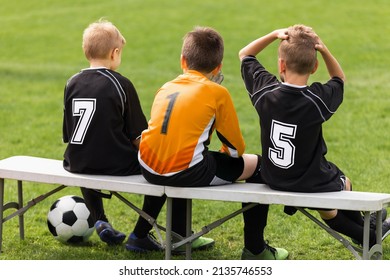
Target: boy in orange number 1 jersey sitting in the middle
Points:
(174, 149)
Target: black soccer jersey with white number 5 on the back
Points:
(291, 118)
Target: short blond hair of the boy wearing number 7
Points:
(100, 38)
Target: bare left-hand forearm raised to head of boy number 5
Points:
(259, 44)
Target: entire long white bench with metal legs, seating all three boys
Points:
(25, 168)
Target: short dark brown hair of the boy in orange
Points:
(203, 49)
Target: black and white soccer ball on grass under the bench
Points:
(69, 220)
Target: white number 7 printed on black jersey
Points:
(84, 108)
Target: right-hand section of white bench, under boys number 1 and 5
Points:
(366, 202)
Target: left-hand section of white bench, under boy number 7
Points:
(50, 171)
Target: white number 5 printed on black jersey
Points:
(283, 153)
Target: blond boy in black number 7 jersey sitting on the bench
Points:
(103, 120)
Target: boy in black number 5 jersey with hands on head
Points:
(291, 116)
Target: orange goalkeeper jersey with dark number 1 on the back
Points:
(184, 114)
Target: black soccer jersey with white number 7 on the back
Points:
(102, 116)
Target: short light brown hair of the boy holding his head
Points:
(298, 51)
